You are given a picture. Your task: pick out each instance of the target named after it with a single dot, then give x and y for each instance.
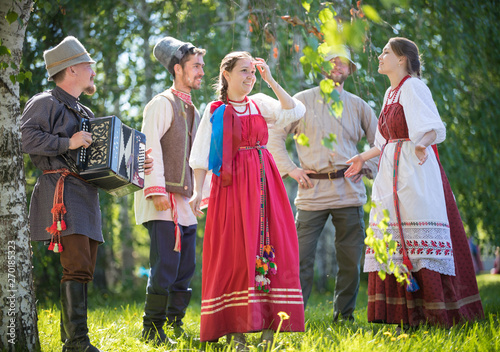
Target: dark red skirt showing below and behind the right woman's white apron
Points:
(442, 300)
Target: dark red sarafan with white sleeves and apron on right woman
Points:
(421, 204)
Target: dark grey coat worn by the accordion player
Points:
(47, 124)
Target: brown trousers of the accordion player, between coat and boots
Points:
(78, 258)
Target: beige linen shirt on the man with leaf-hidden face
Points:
(357, 120)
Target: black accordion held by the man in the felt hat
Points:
(114, 161)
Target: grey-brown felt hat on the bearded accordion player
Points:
(68, 53)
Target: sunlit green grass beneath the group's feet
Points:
(116, 326)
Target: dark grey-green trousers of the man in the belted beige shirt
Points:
(349, 244)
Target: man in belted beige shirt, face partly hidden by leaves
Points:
(323, 190)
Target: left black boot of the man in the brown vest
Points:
(155, 310)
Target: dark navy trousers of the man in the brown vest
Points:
(170, 271)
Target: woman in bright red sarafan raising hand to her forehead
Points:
(250, 251)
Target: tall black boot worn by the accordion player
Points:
(74, 317)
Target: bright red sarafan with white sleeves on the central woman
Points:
(230, 300)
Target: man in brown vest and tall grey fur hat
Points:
(170, 124)
